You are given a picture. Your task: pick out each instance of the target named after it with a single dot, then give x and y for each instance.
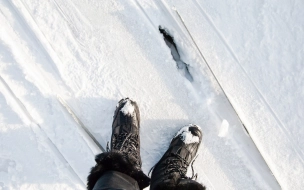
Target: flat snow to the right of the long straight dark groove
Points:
(261, 94)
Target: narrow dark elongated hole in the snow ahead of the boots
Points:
(174, 52)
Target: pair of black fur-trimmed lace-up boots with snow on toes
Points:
(123, 159)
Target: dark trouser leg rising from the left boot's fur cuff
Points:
(113, 180)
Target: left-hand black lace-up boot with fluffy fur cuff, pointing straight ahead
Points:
(124, 155)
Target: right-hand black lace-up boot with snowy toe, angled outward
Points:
(170, 172)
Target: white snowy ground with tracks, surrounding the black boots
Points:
(91, 54)
